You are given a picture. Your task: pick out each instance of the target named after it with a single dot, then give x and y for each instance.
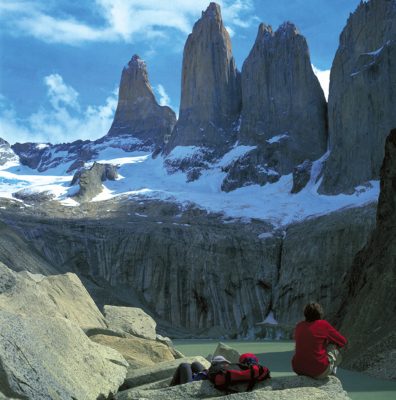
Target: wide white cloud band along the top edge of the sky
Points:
(125, 20)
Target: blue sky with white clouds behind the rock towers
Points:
(61, 60)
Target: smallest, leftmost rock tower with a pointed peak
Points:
(138, 114)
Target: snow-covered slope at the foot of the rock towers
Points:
(141, 175)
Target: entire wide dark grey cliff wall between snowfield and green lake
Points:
(191, 271)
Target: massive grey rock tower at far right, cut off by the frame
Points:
(361, 98)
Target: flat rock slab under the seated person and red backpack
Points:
(283, 388)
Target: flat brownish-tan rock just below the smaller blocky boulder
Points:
(138, 352)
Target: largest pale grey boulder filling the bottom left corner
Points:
(47, 358)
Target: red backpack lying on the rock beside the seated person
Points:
(247, 370)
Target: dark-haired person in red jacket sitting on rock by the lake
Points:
(317, 351)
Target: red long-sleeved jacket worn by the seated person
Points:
(312, 339)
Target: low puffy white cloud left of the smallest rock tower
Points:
(63, 119)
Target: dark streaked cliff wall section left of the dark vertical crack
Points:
(191, 276)
